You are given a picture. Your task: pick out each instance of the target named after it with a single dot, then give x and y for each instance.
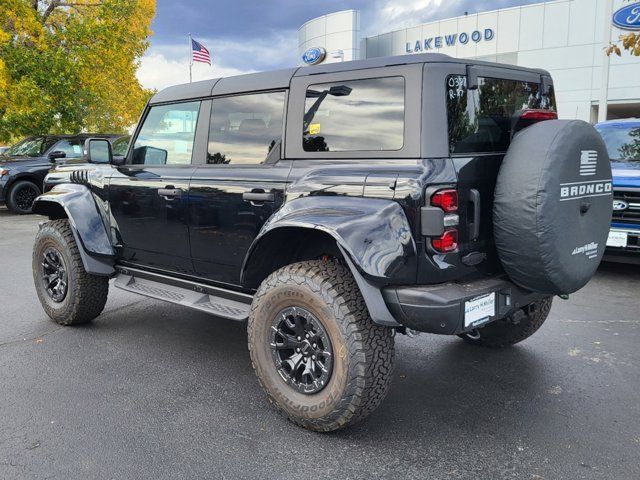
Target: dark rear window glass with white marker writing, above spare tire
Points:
(480, 119)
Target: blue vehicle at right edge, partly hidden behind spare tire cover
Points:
(622, 138)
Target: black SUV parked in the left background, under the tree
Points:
(24, 166)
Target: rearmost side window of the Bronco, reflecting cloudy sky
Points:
(354, 115)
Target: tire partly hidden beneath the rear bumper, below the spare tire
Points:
(503, 333)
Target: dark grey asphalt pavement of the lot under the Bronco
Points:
(151, 390)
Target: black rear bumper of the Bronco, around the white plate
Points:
(441, 308)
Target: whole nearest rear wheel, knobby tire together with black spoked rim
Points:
(319, 357)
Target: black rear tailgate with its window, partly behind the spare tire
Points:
(482, 104)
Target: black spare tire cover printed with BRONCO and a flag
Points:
(552, 206)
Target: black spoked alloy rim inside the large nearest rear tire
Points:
(301, 350)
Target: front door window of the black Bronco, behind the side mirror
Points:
(166, 136)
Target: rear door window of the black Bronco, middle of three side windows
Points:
(244, 129)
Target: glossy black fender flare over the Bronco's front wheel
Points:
(87, 223)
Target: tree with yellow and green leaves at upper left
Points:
(69, 66)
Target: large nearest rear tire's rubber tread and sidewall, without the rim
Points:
(363, 351)
